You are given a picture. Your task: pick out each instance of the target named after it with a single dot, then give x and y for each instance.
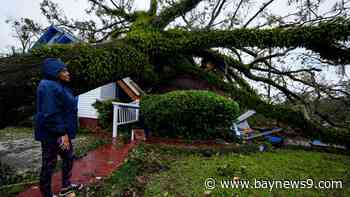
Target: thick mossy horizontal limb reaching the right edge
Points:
(320, 39)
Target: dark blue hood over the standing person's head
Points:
(51, 67)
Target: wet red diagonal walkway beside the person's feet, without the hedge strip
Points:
(96, 165)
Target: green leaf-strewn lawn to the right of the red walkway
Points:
(168, 171)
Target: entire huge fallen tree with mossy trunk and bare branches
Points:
(153, 53)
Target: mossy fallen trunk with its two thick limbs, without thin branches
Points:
(93, 66)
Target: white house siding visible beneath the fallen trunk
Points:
(85, 108)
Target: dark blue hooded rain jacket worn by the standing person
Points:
(56, 106)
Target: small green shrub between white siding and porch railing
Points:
(105, 112)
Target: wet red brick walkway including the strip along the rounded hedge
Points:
(106, 159)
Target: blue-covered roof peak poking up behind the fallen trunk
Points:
(55, 35)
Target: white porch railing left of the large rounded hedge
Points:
(124, 113)
